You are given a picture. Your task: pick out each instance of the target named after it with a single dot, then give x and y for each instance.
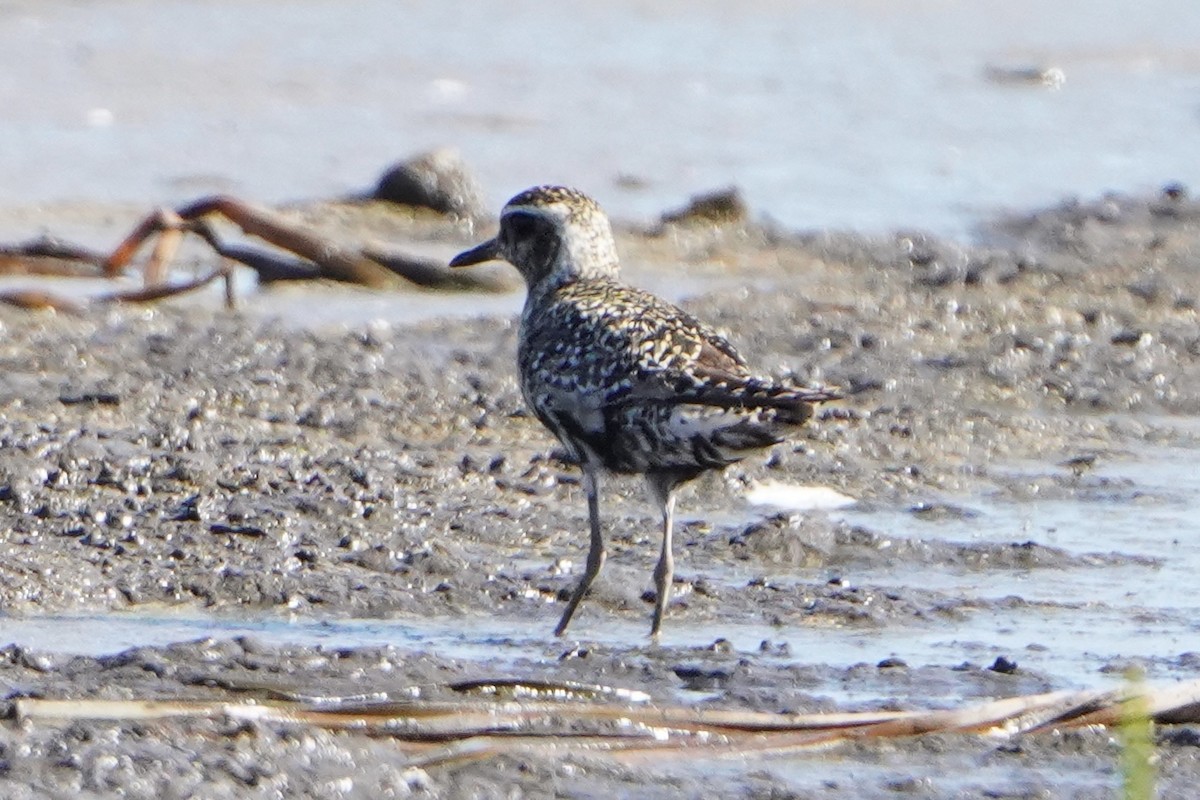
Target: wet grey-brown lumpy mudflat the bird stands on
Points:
(190, 458)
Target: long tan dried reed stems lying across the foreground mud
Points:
(603, 721)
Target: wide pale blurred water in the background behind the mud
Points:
(862, 115)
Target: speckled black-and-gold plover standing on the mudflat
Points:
(629, 383)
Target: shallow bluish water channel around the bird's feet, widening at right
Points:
(1079, 627)
